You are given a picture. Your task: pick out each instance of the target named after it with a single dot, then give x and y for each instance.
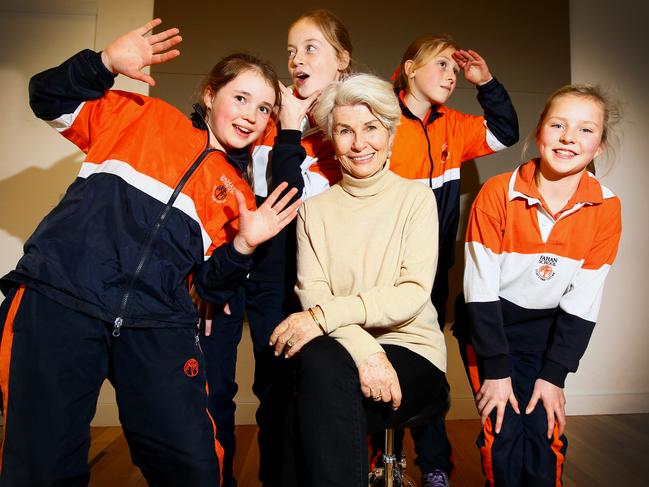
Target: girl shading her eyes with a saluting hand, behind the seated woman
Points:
(432, 143)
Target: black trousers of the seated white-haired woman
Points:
(333, 418)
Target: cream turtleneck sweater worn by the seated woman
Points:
(367, 254)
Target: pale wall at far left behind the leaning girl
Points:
(36, 163)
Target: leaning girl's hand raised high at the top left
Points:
(133, 51)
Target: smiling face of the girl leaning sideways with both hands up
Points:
(238, 113)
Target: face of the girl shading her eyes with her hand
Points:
(434, 81)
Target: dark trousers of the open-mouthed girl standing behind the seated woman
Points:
(266, 304)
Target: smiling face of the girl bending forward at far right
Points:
(570, 136)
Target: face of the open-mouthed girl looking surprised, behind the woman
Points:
(312, 61)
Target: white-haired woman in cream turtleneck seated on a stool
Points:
(371, 352)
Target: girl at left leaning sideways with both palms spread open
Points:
(101, 291)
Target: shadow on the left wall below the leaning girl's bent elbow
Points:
(28, 196)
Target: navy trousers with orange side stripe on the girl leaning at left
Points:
(53, 361)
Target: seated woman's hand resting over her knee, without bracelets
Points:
(379, 380)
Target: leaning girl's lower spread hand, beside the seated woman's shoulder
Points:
(255, 227)
